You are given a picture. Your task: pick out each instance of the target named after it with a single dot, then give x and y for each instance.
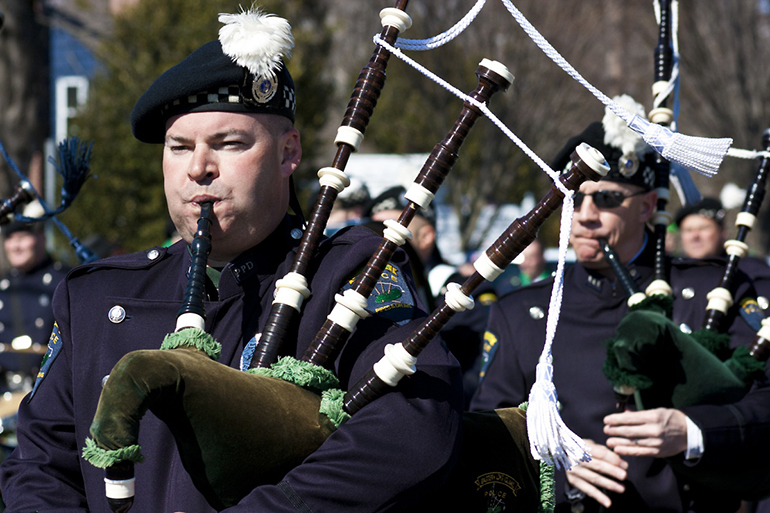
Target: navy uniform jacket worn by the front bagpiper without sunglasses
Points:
(384, 458)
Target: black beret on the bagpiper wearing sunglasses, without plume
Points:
(633, 170)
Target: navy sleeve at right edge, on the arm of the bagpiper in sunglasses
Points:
(736, 436)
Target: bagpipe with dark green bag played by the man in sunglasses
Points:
(652, 356)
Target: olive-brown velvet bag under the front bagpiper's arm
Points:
(233, 429)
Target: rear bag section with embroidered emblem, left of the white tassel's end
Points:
(496, 471)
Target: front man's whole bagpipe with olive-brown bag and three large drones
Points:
(237, 430)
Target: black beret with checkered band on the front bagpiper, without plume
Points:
(209, 80)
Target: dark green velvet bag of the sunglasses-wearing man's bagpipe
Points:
(669, 368)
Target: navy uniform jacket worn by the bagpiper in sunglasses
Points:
(734, 435)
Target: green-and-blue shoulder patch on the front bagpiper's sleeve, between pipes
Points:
(391, 298)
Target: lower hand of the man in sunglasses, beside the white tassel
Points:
(605, 472)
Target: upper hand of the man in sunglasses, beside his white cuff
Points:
(659, 433)
